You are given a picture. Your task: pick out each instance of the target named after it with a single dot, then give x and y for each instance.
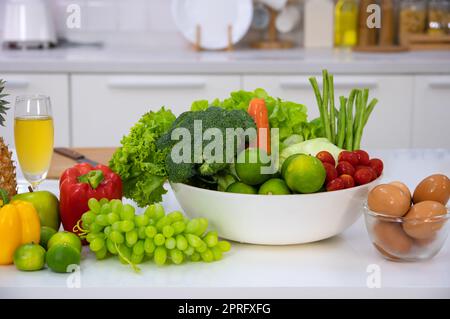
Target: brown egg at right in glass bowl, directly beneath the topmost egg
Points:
(415, 223)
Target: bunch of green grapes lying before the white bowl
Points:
(113, 228)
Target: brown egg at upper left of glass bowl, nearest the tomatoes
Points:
(389, 200)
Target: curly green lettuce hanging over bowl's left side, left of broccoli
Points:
(140, 164)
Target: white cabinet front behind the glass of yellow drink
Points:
(54, 85)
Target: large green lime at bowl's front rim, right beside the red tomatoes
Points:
(304, 174)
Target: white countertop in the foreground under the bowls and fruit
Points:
(337, 267)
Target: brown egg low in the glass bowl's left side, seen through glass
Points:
(390, 237)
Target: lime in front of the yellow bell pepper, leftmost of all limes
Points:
(29, 257)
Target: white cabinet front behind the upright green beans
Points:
(390, 123)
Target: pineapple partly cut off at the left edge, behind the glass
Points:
(7, 168)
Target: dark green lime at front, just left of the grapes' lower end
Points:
(61, 256)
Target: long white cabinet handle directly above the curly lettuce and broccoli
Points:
(155, 83)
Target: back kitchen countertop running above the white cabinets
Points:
(92, 59)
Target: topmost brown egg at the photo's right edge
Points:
(435, 187)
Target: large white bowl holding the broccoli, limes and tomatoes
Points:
(276, 219)
